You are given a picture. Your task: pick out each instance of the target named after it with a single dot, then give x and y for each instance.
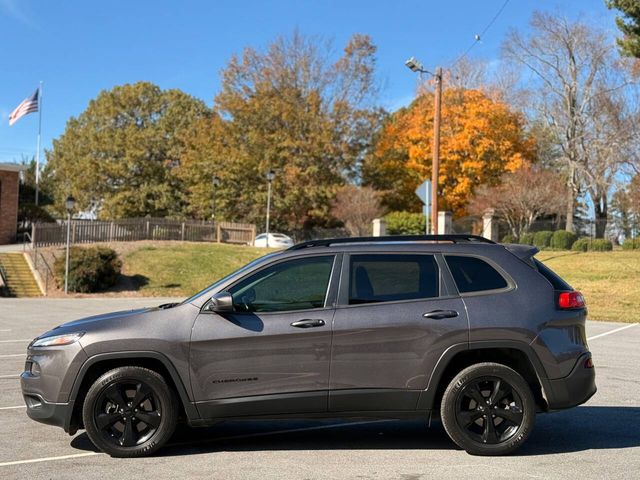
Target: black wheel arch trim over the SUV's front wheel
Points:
(96, 365)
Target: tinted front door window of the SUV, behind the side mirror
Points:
(294, 285)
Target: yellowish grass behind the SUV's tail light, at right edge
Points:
(609, 281)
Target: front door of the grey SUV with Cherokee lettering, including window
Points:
(272, 353)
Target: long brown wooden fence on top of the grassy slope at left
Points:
(134, 229)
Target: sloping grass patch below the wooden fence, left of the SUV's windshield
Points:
(182, 269)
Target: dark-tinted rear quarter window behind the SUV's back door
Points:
(472, 274)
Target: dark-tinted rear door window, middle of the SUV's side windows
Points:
(387, 278)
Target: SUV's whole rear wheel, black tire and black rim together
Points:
(488, 409)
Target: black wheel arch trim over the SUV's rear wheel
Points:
(516, 355)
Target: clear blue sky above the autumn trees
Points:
(79, 48)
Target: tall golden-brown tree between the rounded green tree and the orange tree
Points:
(292, 110)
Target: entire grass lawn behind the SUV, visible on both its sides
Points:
(610, 281)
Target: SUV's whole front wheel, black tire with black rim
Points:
(130, 412)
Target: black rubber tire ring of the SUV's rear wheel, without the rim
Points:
(450, 401)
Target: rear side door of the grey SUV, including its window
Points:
(396, 315)
